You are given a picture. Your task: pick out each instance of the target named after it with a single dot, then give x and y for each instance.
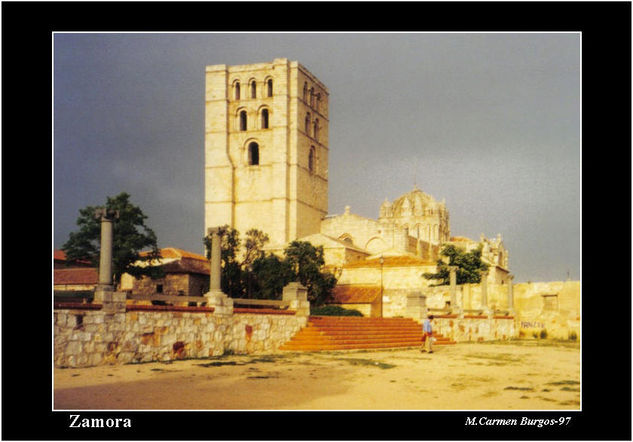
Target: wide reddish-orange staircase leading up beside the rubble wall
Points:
(351, 333)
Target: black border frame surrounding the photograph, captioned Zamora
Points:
(606, 159)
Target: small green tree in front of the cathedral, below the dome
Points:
(469, 266)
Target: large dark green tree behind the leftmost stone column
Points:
(130, 236)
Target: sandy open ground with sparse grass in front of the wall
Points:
(514, 376)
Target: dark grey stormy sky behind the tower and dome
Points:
(490, 122)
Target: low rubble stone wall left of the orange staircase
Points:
(91, 337)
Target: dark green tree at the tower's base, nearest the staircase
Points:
(306, 262)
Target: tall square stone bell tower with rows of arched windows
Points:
(266, 149)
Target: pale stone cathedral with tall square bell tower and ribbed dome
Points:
(266, 167)
